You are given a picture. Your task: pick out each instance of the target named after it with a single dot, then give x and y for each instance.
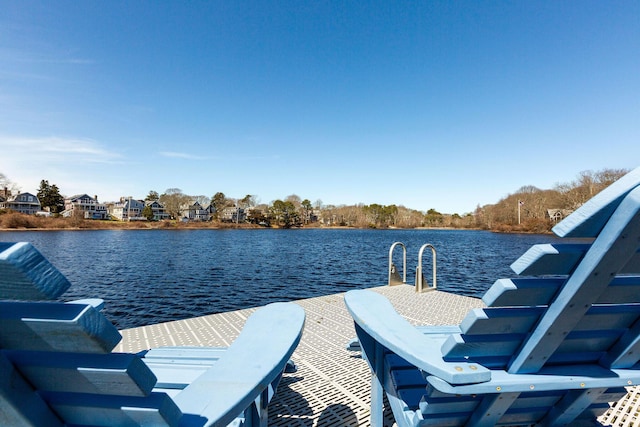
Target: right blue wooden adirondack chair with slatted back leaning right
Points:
(553, 346)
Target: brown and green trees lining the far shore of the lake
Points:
(529, 209)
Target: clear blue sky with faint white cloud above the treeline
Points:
(444, 105)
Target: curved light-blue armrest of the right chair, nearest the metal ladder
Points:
(376, 317)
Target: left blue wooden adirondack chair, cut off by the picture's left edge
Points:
(57, 367)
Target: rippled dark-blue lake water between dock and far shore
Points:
(150, 276)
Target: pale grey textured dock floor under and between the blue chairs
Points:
(331, 386)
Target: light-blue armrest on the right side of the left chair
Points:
(249, 366)
